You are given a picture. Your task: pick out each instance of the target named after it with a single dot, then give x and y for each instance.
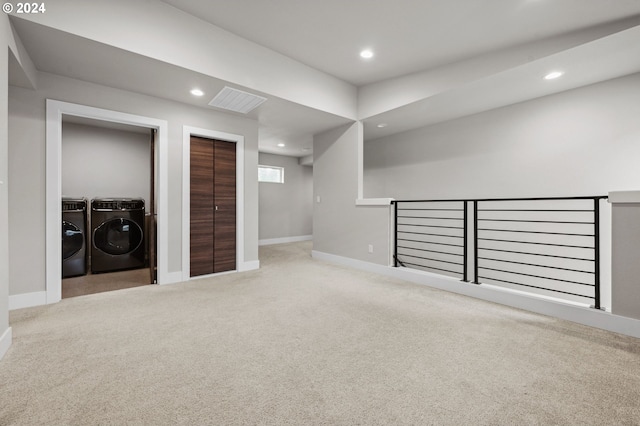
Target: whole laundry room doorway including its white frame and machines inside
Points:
(126, 207)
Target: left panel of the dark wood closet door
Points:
(202, 207)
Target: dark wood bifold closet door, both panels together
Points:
(213, 206)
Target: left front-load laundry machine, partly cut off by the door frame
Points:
(74, 247)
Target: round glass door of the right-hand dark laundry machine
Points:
(117, 236)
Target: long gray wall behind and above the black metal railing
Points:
(580, 142)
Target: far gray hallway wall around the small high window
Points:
(286, 210)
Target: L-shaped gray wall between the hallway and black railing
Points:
(339, 227)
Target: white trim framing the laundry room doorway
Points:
(55, 111)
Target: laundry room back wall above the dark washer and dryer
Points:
(98, 162)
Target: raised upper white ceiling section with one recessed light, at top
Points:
(406, 35)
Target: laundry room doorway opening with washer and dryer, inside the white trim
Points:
(110, 166)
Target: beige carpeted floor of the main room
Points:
(302, 342)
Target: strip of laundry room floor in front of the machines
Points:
(98, 283)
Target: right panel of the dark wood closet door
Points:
(225, 206)
